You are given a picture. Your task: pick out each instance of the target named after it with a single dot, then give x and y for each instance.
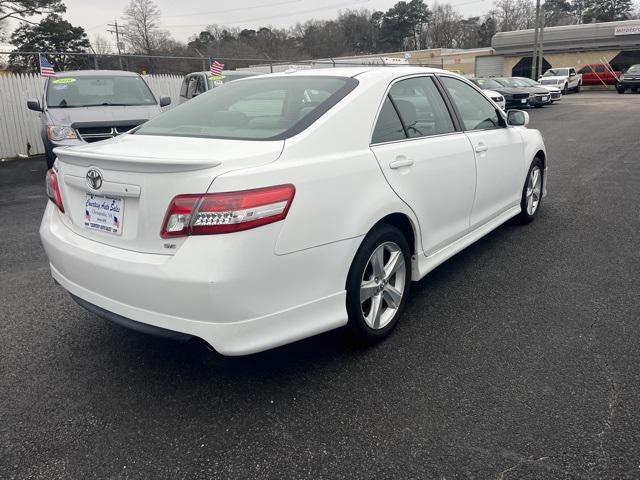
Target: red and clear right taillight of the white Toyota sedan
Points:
(213, 213)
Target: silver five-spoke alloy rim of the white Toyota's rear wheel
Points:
(382, 285)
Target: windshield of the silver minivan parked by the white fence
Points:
(88, 91)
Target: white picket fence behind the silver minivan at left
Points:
(20, 127)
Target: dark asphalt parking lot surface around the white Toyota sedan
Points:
(517, 359)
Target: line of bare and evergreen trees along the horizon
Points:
(408, 25)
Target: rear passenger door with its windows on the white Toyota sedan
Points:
(426, 159)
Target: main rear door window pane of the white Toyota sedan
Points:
(421, 108)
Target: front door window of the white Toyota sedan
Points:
(476, 111)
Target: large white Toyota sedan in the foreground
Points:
(282, 206)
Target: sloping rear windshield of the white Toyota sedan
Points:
(269, 108)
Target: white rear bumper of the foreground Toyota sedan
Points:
(237, 295)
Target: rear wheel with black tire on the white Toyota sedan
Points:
(377, 288)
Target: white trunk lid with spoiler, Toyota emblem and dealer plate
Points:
(116, 192)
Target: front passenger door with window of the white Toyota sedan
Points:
(498, 150)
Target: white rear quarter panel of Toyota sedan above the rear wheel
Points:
(340, 190)
